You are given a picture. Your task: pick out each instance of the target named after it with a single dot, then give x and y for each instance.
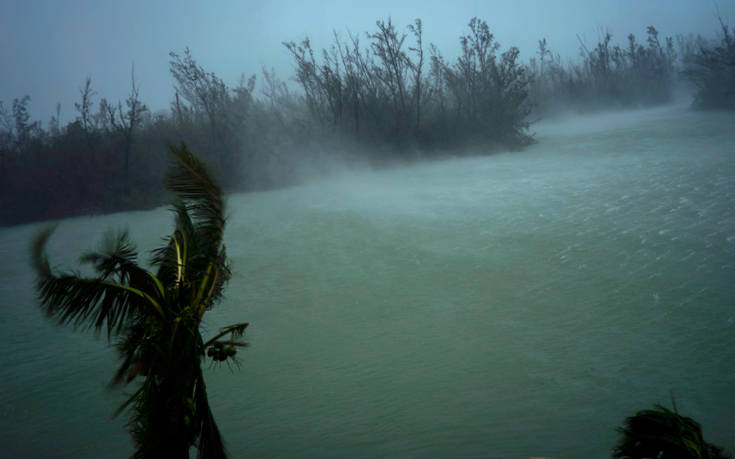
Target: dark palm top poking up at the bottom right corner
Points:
(660, 433)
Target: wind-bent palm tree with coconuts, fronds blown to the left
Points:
(156, 318)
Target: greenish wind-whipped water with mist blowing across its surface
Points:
(516, 304)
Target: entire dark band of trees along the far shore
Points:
(383, 96)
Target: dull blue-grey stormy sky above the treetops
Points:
(50, 46)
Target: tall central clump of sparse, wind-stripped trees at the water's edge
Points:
(400, 93)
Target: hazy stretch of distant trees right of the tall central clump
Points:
(636, 73)
